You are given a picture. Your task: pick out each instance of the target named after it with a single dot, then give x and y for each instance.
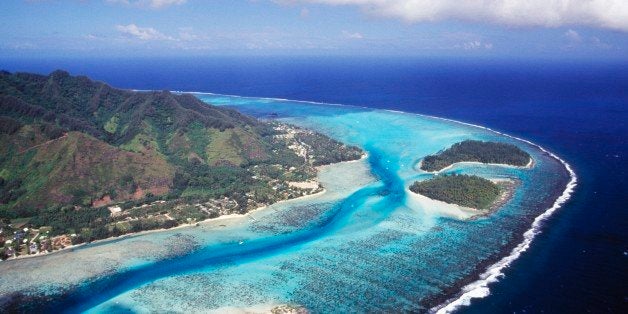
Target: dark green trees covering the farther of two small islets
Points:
(478, 151)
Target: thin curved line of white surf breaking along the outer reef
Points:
(479, 288)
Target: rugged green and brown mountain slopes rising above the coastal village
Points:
(147, 136)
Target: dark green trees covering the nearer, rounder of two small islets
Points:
(463, 190)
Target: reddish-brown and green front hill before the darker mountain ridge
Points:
(78, 168)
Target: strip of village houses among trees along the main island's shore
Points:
(19, 239)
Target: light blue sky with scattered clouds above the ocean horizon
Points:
(589, 29)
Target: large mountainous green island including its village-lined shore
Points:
(70, 147)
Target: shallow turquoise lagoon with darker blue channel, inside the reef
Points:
(364, 245)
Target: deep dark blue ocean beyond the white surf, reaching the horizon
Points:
(575, 109)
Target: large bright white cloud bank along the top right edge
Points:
(610, 14)
